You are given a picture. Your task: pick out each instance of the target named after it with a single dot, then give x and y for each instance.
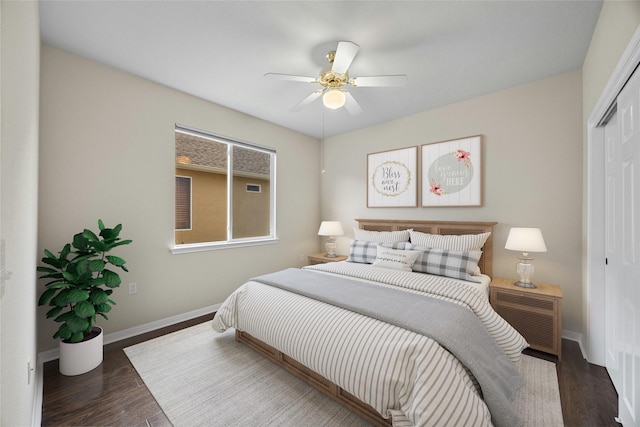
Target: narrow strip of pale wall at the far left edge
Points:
(20, 35)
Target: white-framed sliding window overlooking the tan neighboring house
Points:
(225, 192)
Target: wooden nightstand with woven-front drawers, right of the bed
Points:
(534, 312)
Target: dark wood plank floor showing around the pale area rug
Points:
(114, 395)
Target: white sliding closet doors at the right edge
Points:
(623, 256)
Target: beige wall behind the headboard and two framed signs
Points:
(532, 145)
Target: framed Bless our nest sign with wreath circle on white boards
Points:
(391, 178)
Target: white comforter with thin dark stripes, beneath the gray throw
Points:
(403, 375)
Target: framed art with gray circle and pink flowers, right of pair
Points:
(452, 173)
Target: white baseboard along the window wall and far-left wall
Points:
(46, 356)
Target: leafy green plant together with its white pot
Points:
(81, 282)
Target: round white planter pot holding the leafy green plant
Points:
(81, 357)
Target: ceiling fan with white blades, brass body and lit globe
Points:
(335, 76)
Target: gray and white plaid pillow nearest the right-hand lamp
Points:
(449, 263)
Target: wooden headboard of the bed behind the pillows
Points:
(440, 227)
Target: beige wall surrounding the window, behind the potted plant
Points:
(107, 152)
